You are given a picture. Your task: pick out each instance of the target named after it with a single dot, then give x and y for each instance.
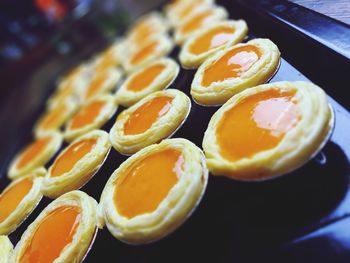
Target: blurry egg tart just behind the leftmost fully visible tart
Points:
(54, 118)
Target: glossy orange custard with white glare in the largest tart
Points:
(257, 123)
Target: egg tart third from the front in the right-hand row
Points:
(210, 40)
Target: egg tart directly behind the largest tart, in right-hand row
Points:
(234, 69)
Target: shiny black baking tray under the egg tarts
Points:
(300, 217)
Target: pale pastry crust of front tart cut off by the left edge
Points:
(27, 204)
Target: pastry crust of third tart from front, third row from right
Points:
(104, 115)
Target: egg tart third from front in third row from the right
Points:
(91, 116)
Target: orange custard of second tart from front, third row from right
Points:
(74, 153)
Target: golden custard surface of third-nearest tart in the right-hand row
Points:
(211, 39)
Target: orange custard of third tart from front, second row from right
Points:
(145, 77)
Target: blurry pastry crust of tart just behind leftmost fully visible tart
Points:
(68, 108)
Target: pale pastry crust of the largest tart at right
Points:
(296, 147)
